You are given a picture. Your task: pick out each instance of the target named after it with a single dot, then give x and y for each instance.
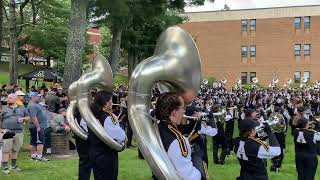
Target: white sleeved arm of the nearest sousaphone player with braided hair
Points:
(183, 165)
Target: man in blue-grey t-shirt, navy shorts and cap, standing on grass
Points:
(36, 127)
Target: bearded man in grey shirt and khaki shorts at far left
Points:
(12, 118)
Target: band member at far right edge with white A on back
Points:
(305, 150)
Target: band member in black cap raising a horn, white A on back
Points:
(252, 152)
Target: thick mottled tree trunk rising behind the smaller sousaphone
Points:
(76, 42)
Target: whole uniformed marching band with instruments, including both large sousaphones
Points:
(173, 139)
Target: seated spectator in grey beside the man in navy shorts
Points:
(59, 124)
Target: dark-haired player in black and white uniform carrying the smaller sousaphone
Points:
(105, 159)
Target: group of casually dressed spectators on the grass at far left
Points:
(42, 109)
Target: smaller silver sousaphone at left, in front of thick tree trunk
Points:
(100, 77)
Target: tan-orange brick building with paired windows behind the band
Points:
(268, 43)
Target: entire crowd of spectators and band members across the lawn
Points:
(184, 128)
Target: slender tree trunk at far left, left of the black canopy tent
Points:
(13, 43)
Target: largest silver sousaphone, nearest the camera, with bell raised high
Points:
(176, 65)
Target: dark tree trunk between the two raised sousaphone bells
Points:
(115, 50)
